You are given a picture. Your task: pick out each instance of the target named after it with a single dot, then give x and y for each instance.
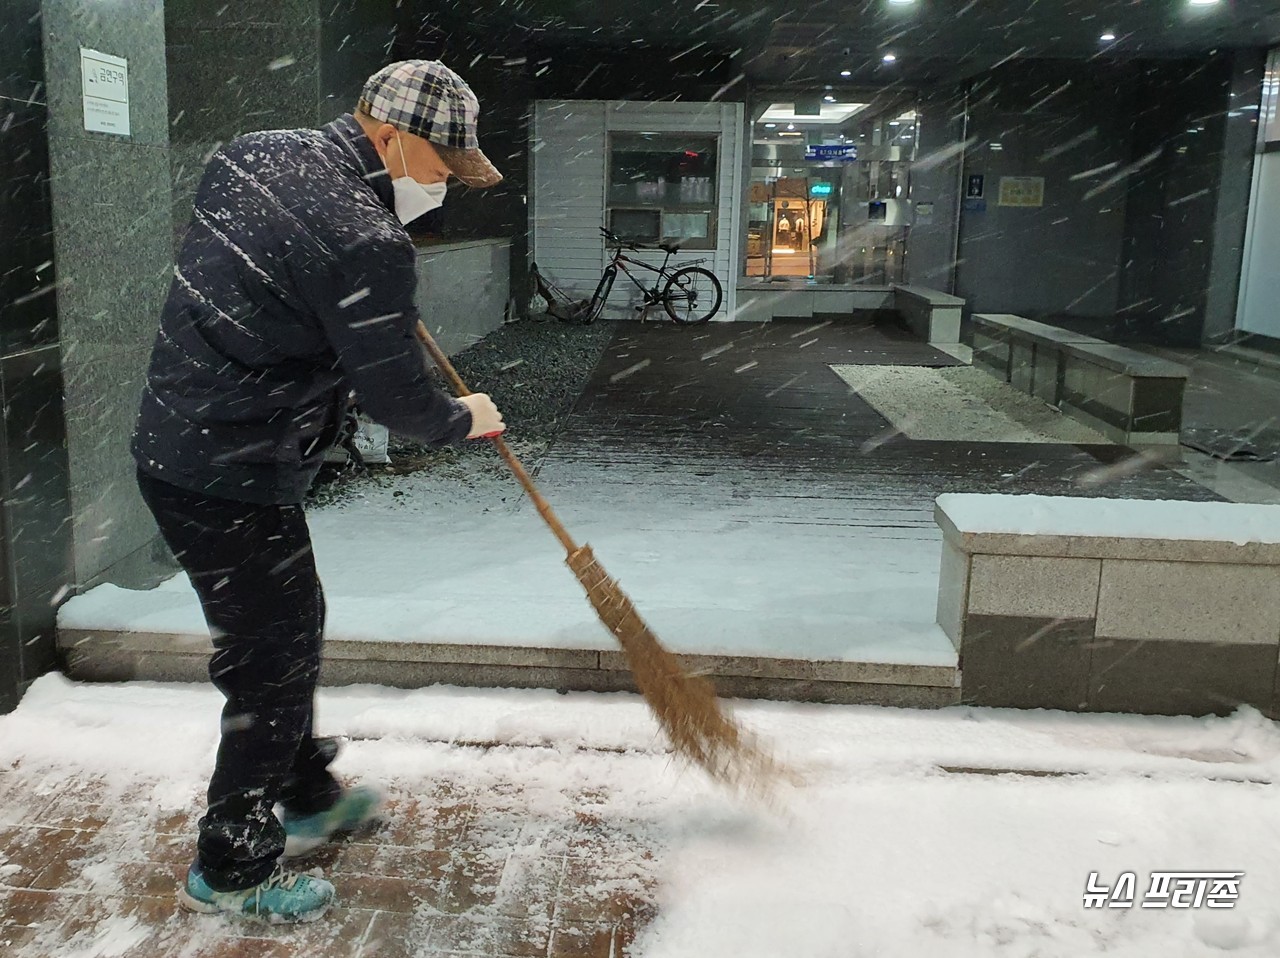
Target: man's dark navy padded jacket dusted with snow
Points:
(294, 289)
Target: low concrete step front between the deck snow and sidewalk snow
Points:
(97, 655)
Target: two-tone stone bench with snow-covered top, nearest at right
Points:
(1112, 605)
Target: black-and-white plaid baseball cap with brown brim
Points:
(427, 99)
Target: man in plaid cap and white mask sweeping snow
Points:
(294, 289)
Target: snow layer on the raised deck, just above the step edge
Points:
(459, 556)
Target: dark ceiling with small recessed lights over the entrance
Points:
(815, 40)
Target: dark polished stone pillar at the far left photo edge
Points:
(35, 505)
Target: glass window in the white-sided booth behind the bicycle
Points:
(662, 188)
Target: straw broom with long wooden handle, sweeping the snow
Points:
(685, 706)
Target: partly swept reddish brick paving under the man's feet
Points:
(458, 872)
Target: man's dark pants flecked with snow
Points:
(255, 574)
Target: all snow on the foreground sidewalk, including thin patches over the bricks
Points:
(953, 833)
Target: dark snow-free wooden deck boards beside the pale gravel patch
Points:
(764, 398)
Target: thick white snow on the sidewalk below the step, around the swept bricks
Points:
(881, 852)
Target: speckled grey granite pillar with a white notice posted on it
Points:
(113, 227)
